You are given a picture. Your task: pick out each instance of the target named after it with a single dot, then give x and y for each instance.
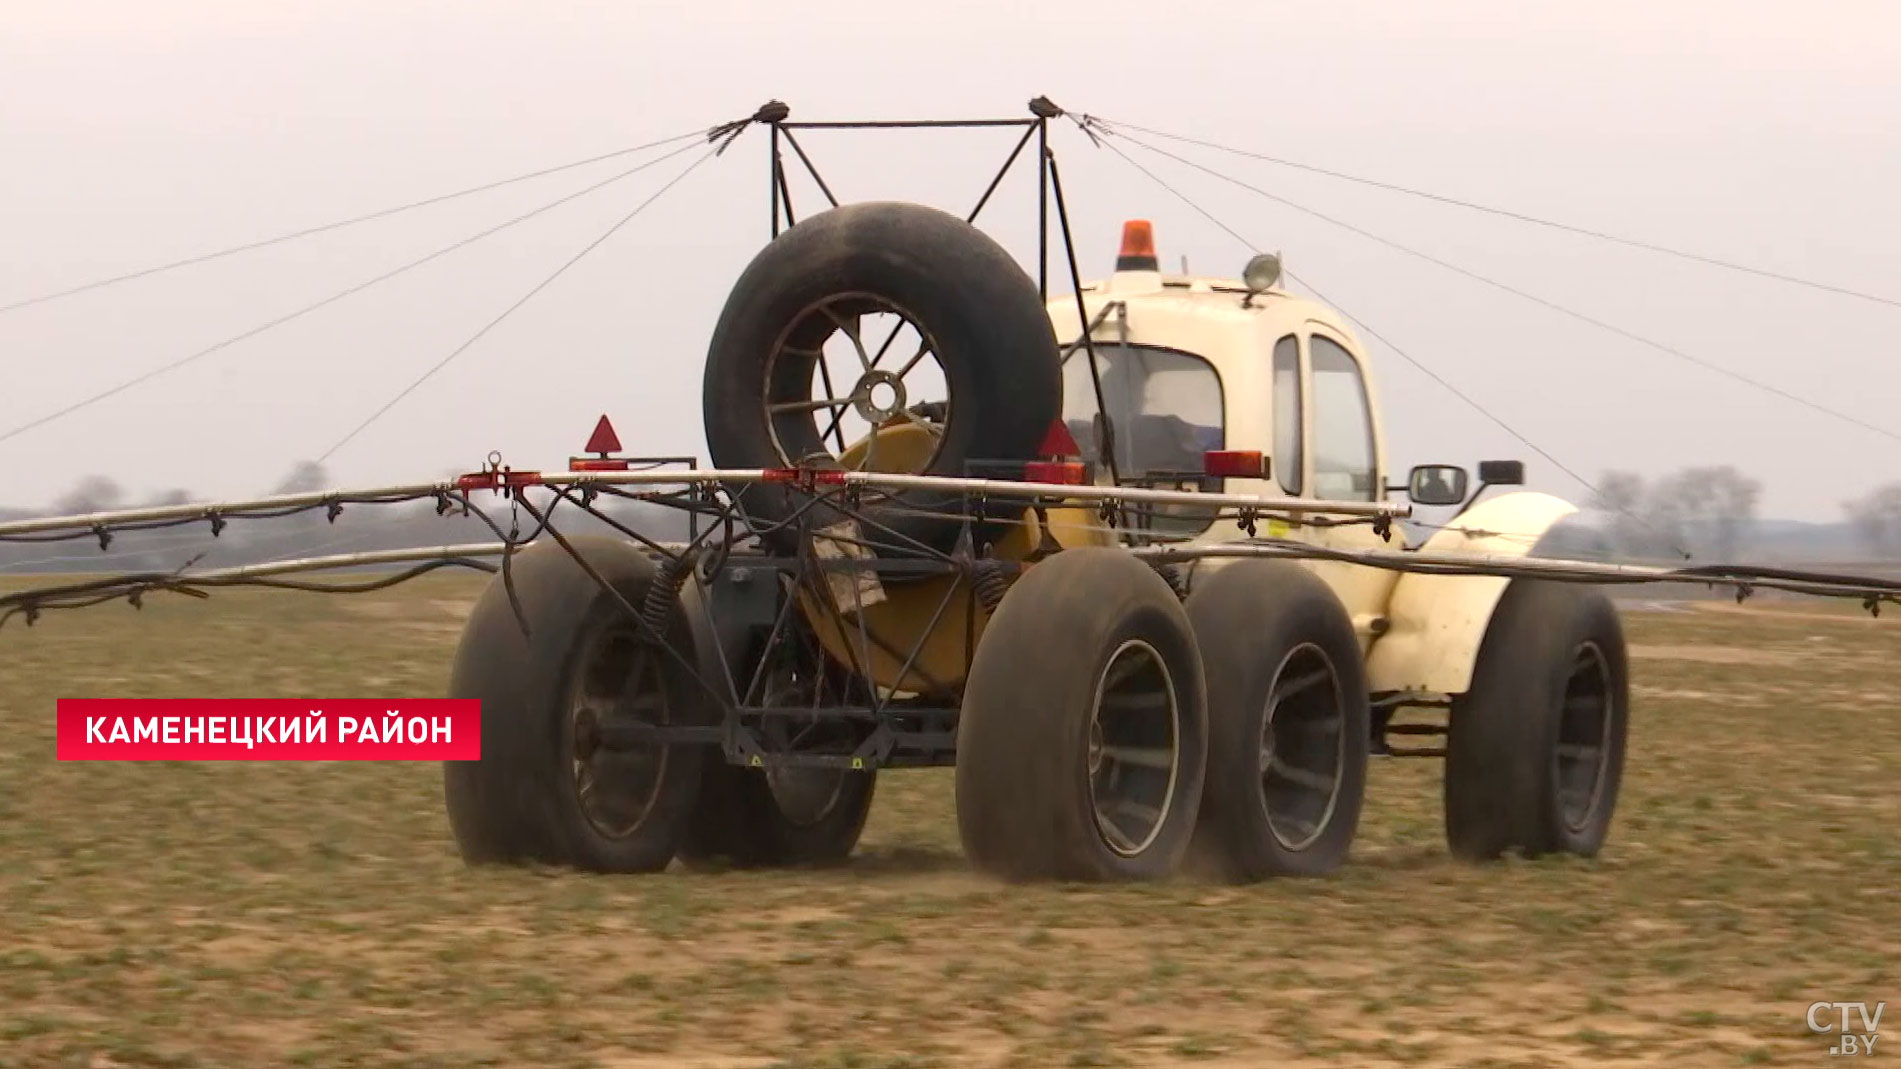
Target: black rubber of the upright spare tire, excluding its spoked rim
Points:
(993, 341)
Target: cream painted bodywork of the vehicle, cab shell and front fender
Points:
(1419, 632)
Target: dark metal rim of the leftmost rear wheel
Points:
(617, 684)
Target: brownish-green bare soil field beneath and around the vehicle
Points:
(318, 914)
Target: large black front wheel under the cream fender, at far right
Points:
(1535, 748)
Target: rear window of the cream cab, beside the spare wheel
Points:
(1166, 408)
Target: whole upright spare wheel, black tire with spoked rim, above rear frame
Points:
(972, 309)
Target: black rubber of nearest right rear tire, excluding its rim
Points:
(1022, 771)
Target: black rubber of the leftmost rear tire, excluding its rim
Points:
(518, 802)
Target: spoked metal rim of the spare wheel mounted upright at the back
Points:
(826, 379)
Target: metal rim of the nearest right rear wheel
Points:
(1134, 748)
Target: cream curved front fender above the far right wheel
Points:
(1438, 621)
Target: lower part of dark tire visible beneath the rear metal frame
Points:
(788, 817)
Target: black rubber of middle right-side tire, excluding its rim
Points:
(1248, 617)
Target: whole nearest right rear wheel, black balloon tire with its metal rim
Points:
(1083, 739)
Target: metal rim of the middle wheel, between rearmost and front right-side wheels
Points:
(1303, 748)
